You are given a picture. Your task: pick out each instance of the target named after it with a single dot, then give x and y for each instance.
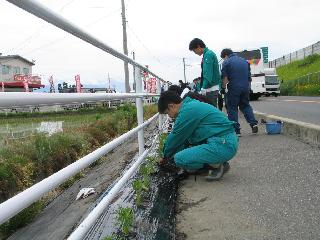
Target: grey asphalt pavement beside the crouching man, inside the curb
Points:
(271, 192)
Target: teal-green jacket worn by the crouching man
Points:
(196, 122)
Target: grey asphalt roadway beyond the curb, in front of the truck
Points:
(305, 109)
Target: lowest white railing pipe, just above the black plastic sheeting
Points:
(88, 222)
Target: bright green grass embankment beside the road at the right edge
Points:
(301, 77)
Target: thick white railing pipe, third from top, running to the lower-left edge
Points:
(24, 199)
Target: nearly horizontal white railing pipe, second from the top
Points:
(14, 99)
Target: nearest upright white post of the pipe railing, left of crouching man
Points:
(139, 105)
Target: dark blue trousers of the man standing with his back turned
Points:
(239, 98)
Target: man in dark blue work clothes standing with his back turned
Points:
(235, 72)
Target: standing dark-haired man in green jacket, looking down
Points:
(210, 74)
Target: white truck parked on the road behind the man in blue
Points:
(264, 80)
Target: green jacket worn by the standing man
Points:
(210, 69)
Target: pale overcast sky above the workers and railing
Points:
(159, 33)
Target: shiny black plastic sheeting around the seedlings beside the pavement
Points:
(153, 219)
